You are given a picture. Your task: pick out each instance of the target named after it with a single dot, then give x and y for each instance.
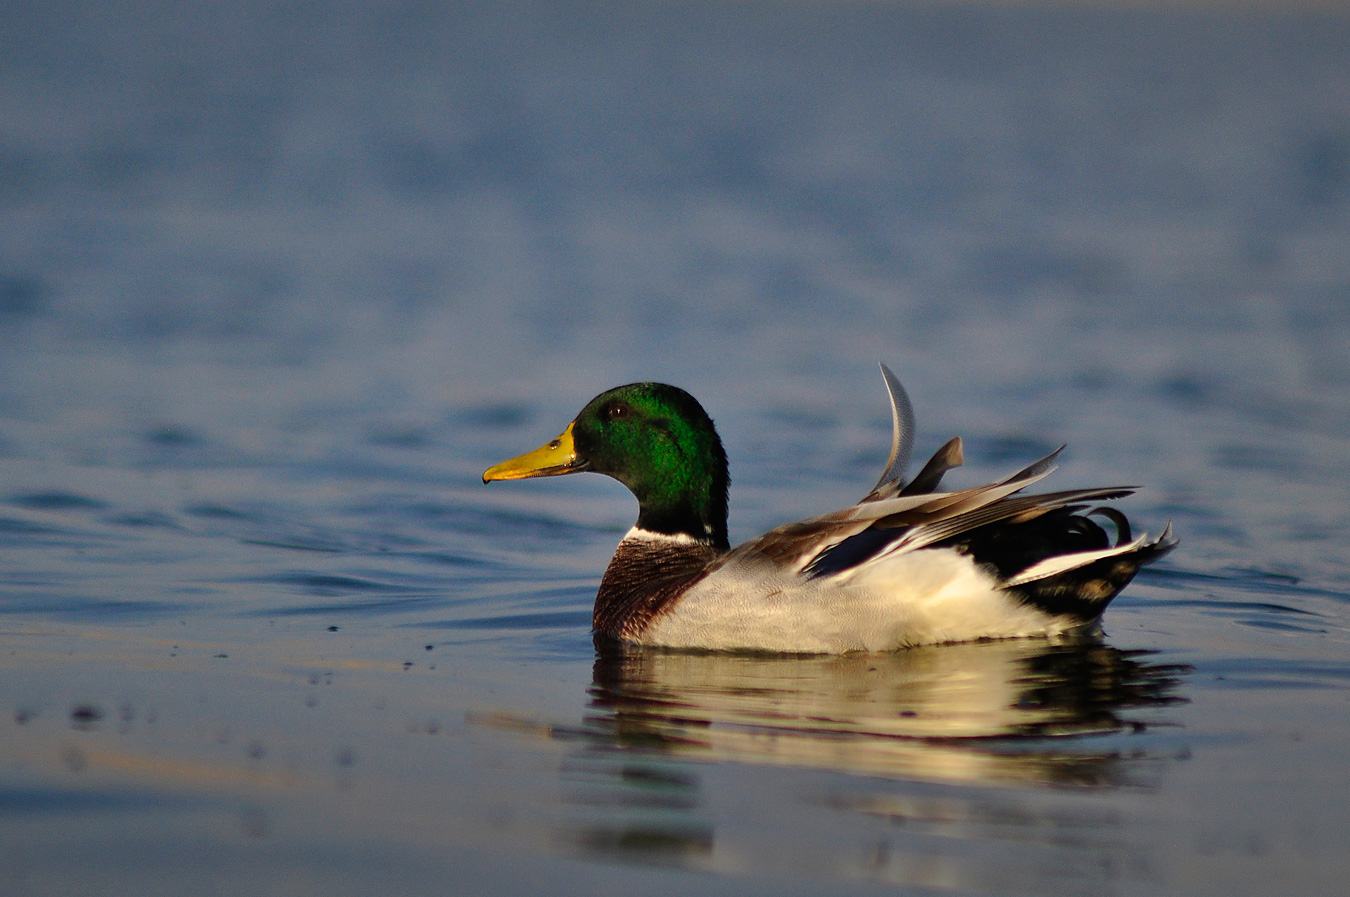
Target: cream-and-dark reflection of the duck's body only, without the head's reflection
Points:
(981, 713)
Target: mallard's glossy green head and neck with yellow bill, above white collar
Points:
(655, 440)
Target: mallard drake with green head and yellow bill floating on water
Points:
(909, 565)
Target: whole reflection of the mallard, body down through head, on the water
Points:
(940, 744)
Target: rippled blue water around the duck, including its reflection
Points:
(279, 283)
